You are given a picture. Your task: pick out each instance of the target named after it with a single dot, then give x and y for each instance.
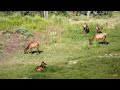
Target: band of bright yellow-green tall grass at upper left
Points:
(17, 20)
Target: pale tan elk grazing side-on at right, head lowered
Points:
(98, 36)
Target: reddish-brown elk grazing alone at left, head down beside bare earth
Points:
(31, 45)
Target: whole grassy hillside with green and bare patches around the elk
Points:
(61, 41)
